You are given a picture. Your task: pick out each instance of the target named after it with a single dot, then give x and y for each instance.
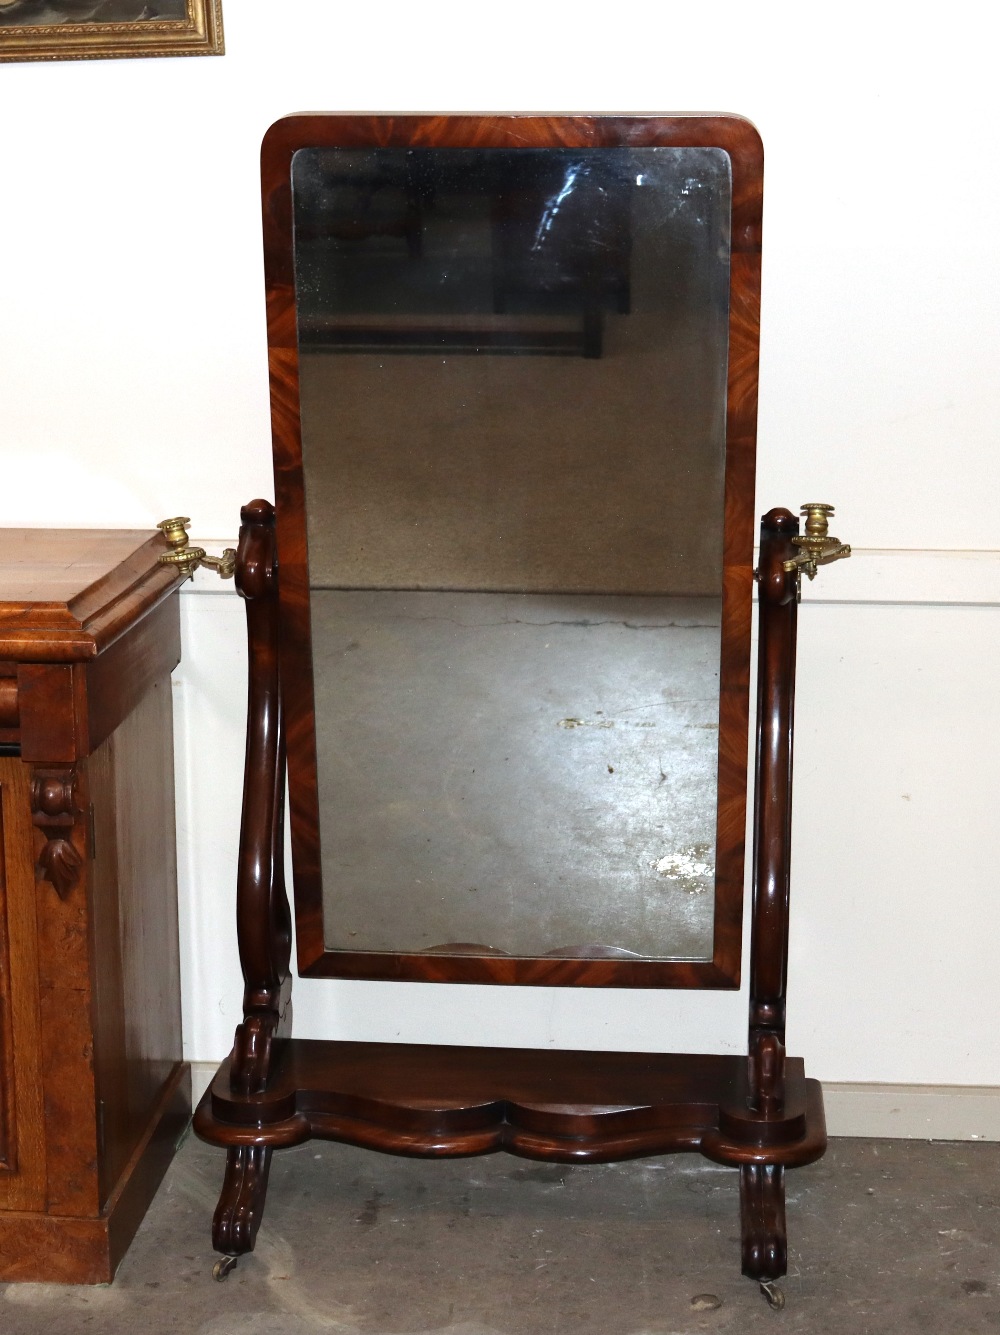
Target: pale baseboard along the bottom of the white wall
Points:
(878, 1111)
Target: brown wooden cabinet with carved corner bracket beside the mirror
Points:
(94, 1093)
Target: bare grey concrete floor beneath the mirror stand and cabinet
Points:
(885, 1237)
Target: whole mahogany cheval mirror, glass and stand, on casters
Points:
(501, 617)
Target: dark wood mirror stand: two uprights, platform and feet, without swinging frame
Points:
(758, 1114)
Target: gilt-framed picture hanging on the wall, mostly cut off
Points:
(101, 30)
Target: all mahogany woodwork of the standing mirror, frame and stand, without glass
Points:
(758, 1114)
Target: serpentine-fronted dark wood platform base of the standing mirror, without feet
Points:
(568, 1107)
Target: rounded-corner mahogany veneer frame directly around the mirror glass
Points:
(740, 141)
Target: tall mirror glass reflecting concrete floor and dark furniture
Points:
(513, 377)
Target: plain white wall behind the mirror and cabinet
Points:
(133, 386)
